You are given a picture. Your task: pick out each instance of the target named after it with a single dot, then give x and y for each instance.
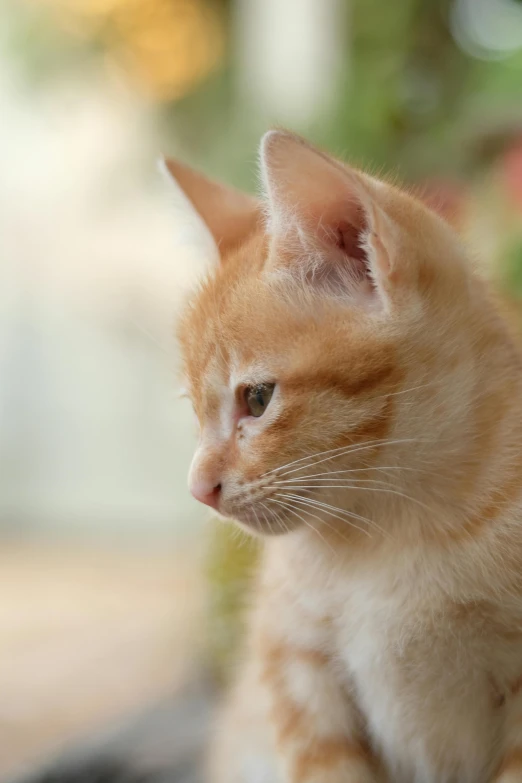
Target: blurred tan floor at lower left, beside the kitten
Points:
(90, 636)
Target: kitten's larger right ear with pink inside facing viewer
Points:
(325, 221)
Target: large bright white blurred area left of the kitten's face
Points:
(94, 259)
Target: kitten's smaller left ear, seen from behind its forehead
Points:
(229, 214)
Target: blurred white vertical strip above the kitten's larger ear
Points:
(290, 54)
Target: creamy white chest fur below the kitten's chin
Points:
(418, 665)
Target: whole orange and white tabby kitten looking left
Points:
(360, 405)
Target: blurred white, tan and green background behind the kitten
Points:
(110, 599)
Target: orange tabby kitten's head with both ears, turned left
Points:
(321, 352)
